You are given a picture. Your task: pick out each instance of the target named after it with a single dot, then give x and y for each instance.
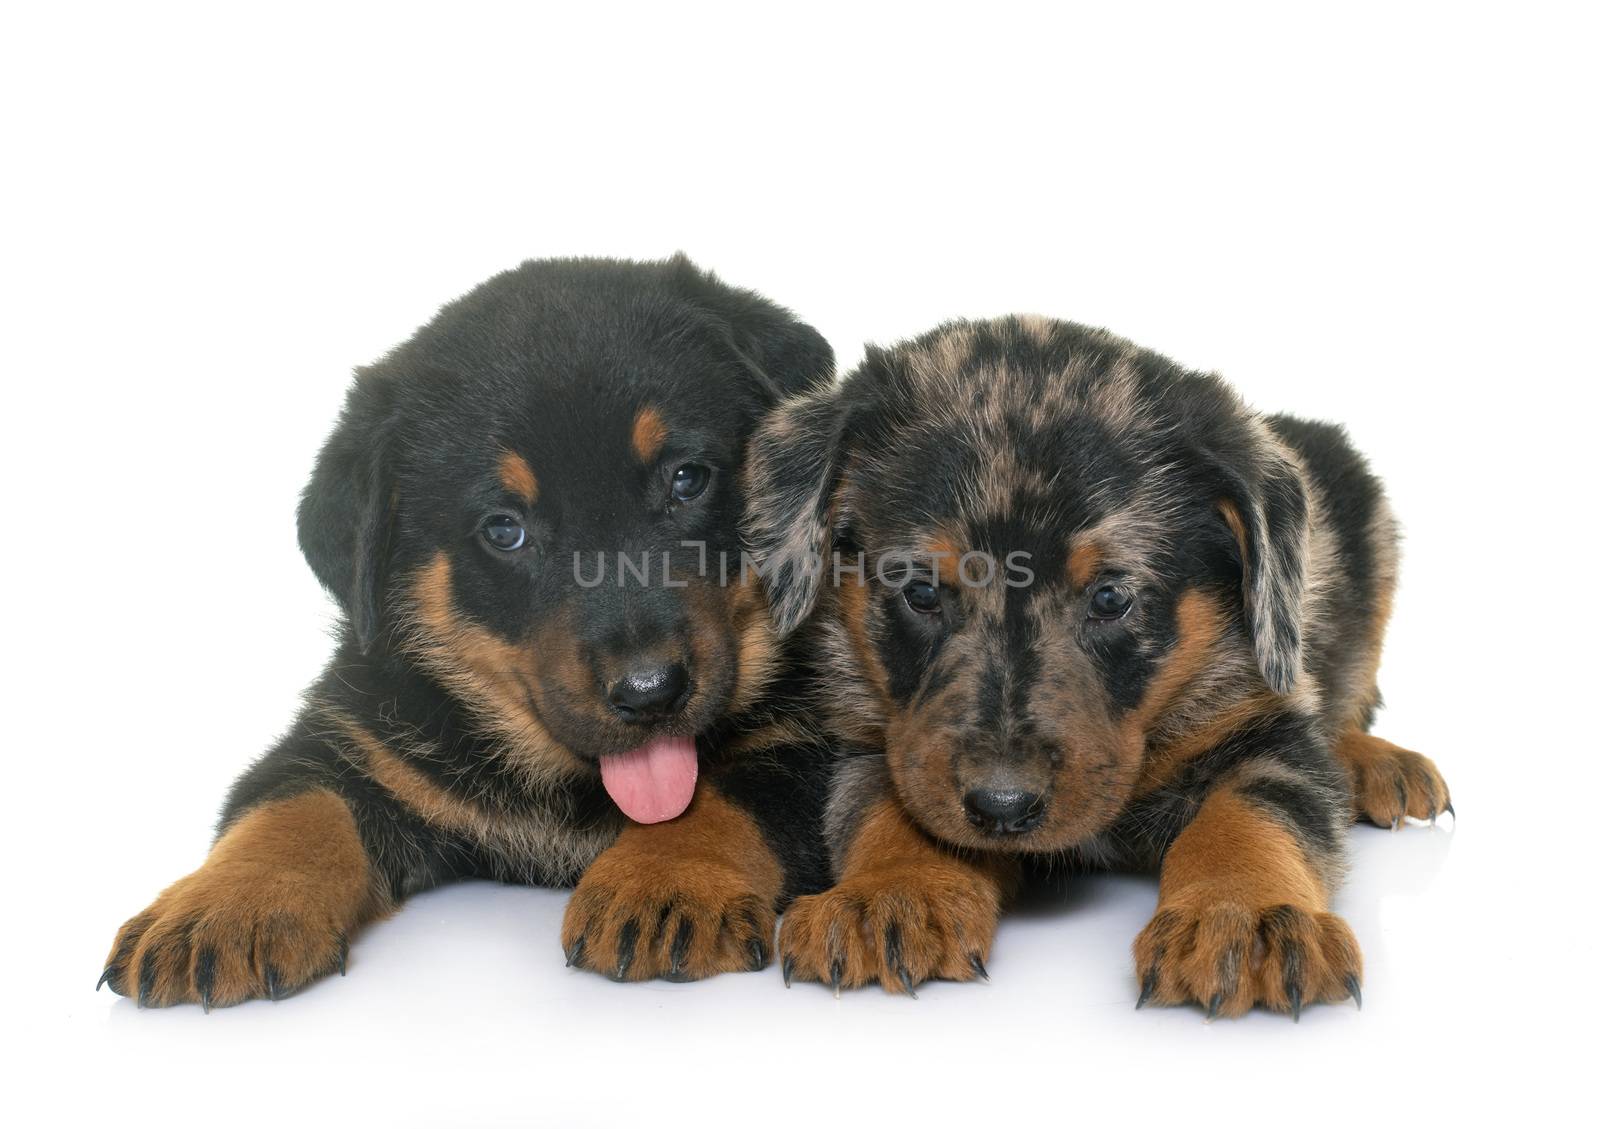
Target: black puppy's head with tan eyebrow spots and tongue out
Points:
(522, 497)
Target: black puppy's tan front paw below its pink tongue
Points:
(636, 917)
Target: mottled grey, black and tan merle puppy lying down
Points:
(1082, 605)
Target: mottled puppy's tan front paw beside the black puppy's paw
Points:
(898, 927)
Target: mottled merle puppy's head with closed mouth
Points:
(1038, 554)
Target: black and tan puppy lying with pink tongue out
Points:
(521, 514)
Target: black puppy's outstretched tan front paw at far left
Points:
(222, 938)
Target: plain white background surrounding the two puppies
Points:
(1382, 215)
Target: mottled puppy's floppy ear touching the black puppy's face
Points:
(791, 474)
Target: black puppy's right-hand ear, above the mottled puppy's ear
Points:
(785, 354)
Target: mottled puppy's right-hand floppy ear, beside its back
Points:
(1265, 506)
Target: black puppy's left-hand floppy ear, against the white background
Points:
(346, 513)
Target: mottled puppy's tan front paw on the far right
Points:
(1233, 957)
